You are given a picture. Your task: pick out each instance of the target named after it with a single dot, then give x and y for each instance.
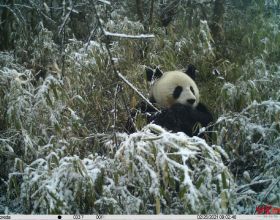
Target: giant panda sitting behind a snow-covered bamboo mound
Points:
(176, 94)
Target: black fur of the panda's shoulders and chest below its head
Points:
(183, 118)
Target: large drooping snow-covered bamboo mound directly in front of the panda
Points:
(154, 154)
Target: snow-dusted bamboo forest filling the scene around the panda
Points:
(68, 82)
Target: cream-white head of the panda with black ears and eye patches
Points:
(173, 87)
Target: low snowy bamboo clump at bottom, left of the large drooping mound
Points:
(56, 184)
